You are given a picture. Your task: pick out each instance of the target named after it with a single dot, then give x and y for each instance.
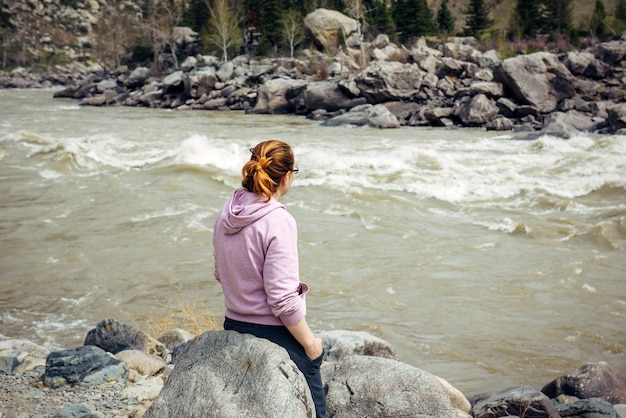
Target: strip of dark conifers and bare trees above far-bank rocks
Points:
(144, 32)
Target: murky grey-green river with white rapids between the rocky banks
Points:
(481, 258)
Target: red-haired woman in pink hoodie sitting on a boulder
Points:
(255, 250)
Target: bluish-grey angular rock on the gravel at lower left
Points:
(86, 364)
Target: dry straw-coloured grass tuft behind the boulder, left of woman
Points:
(192, 316)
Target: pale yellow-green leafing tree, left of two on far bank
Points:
(223, 26)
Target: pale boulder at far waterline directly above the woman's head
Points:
(279, 96)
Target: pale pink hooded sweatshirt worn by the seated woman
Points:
(255, 250)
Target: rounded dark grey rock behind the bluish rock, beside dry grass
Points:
(114, 337)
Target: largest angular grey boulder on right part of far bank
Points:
(538, 79)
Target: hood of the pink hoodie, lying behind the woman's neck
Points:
(245, 208)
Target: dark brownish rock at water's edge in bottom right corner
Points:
(592, 380)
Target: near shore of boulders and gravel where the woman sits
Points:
(123, 372)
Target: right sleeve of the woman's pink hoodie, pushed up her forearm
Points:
(285, 293)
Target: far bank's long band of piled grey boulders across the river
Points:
(452, 85)
